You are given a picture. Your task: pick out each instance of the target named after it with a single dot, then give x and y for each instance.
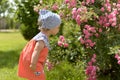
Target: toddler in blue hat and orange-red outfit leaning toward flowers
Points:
(33, 56)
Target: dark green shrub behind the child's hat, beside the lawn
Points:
(28, 17)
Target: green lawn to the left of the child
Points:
(11, 45)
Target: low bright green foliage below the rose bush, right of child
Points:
(66, 71)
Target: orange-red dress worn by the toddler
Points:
(24, 70)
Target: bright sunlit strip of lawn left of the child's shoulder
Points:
(10, 41)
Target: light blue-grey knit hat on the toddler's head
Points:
(49, 19)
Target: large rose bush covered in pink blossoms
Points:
(89, 27)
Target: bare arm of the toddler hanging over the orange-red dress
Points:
(38, 47)
